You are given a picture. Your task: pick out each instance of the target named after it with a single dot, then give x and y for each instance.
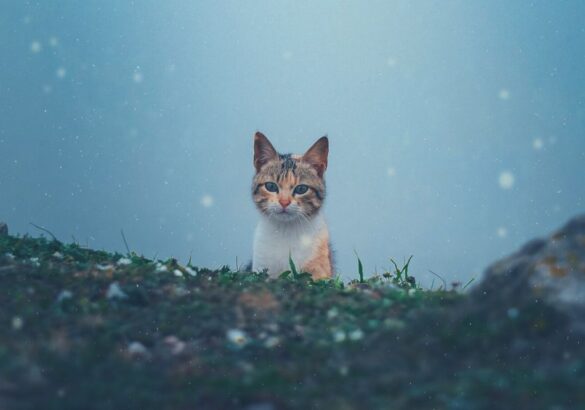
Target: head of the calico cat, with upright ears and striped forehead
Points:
(288, 187)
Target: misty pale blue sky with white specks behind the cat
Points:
(457, 128)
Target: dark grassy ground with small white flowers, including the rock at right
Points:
(83, 329)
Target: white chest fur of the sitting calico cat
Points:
(274, 242)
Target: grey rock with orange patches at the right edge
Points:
(550, 269)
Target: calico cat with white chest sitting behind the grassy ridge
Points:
(289, 191)
